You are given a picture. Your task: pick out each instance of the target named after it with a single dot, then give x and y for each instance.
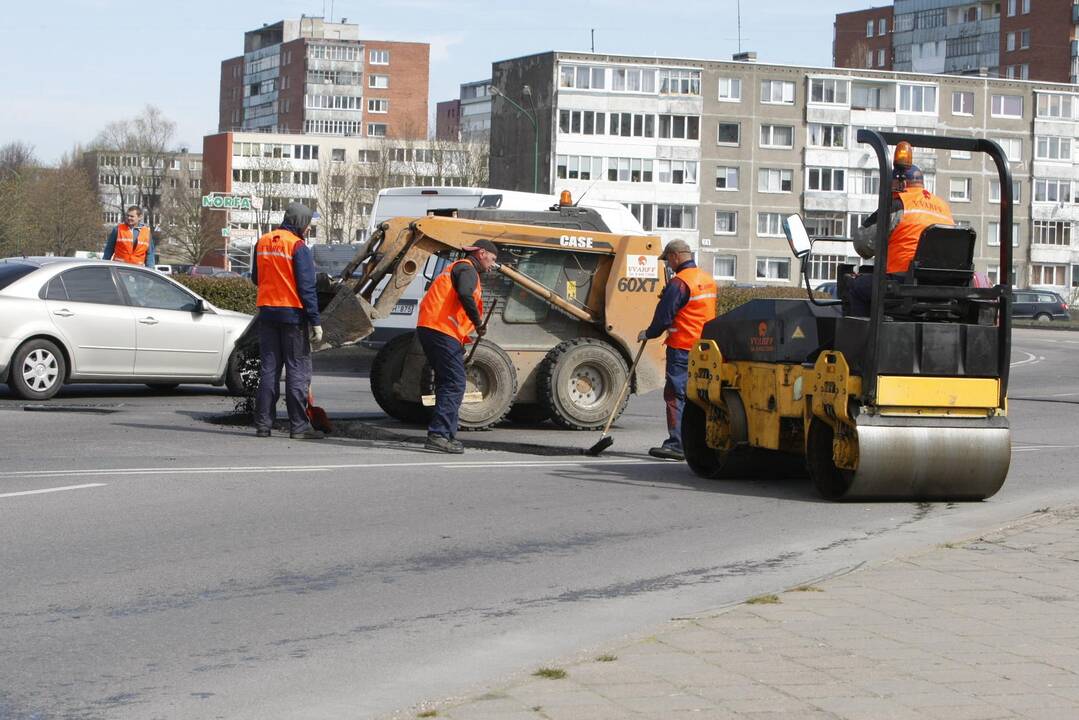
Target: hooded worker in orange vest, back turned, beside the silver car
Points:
(284, 273)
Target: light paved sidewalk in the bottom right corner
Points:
(982, 629)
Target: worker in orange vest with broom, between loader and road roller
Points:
(686, 305)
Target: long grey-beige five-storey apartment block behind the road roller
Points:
(717, 153)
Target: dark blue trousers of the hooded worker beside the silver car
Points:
(283, 346)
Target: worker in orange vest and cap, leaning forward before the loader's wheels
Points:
(449, 313)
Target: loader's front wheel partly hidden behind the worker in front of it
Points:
(491, 372)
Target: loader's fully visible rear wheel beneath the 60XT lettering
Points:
(580, 384)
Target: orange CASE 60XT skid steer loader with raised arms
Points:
(571, 302)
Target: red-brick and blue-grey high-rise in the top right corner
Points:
(1022, 39)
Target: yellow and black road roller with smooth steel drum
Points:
(909, 404)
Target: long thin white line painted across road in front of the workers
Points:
(120, 472)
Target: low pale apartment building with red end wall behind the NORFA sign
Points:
(338, 178)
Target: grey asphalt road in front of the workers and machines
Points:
(154, 565)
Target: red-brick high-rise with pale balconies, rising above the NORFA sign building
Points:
(313, 76)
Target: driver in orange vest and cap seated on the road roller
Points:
(913, 210)
